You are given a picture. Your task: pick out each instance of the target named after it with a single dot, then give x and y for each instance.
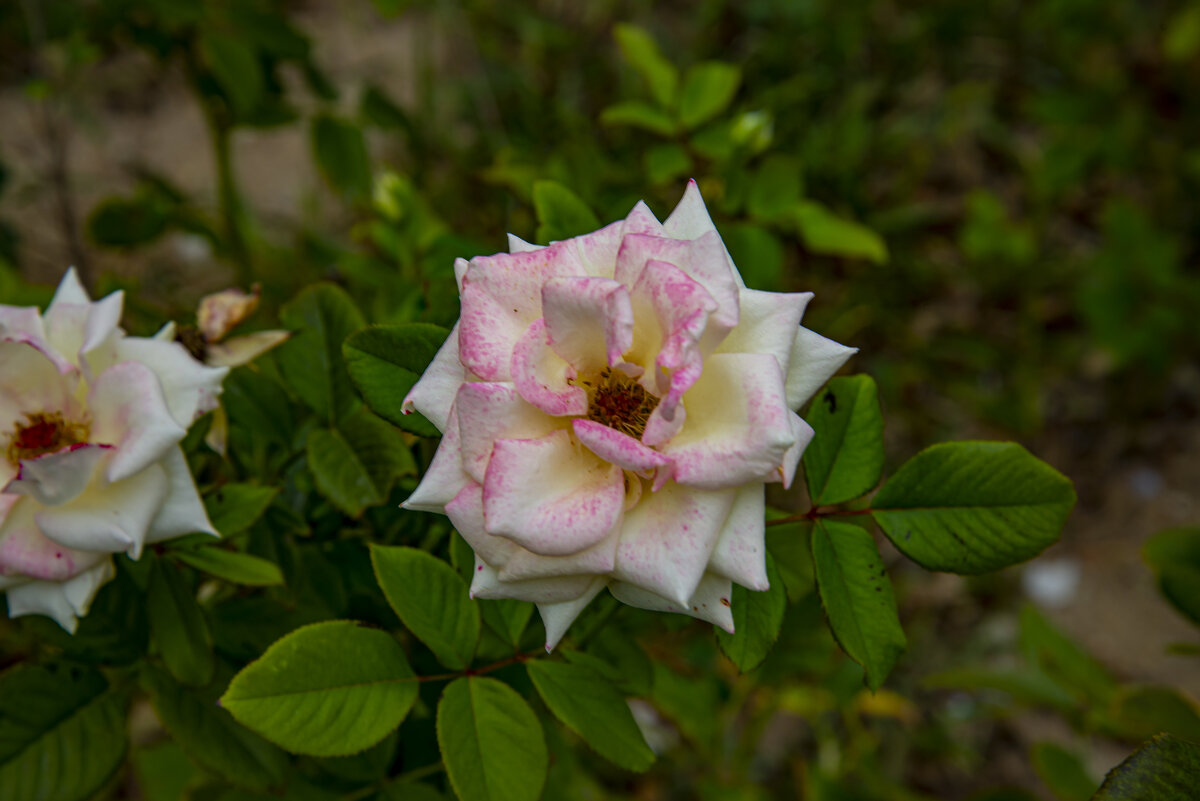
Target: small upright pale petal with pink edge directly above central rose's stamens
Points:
(590, 321)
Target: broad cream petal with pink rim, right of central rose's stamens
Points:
(739, 429)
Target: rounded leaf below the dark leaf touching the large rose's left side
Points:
(357, 463)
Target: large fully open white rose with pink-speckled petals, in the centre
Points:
(613, 407)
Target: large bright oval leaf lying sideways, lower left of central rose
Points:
(326, 690)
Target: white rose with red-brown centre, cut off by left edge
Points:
(91, 425)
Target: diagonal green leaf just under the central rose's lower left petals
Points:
(431, 599)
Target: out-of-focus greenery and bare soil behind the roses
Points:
(994, 201)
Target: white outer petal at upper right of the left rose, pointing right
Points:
(189, 387)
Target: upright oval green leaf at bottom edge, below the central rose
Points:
(493, 745)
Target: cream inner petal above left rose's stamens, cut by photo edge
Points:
(31, 384)
